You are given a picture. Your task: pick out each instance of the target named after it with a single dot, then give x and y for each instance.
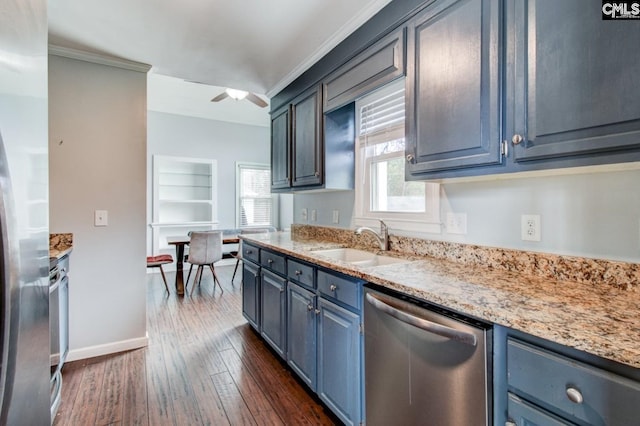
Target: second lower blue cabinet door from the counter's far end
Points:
(272, 310)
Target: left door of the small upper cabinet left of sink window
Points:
(280, 142)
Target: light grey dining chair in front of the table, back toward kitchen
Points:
(205, 249)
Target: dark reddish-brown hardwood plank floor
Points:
(204, 366)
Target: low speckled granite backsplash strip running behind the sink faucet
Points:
(593, 272)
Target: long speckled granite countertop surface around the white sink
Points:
(601, 320)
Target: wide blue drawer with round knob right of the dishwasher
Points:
(549, 380)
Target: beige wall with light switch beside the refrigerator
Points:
(97, 158)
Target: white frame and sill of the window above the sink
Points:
(427, 221)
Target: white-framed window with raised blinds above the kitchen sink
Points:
(381, 189)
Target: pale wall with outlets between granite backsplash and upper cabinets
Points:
(595, 214)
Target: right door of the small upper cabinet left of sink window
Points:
(307, 164)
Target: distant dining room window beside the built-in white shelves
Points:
(255, 206)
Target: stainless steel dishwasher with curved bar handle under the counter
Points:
(424, 367)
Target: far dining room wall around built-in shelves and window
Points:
(228, 143)
